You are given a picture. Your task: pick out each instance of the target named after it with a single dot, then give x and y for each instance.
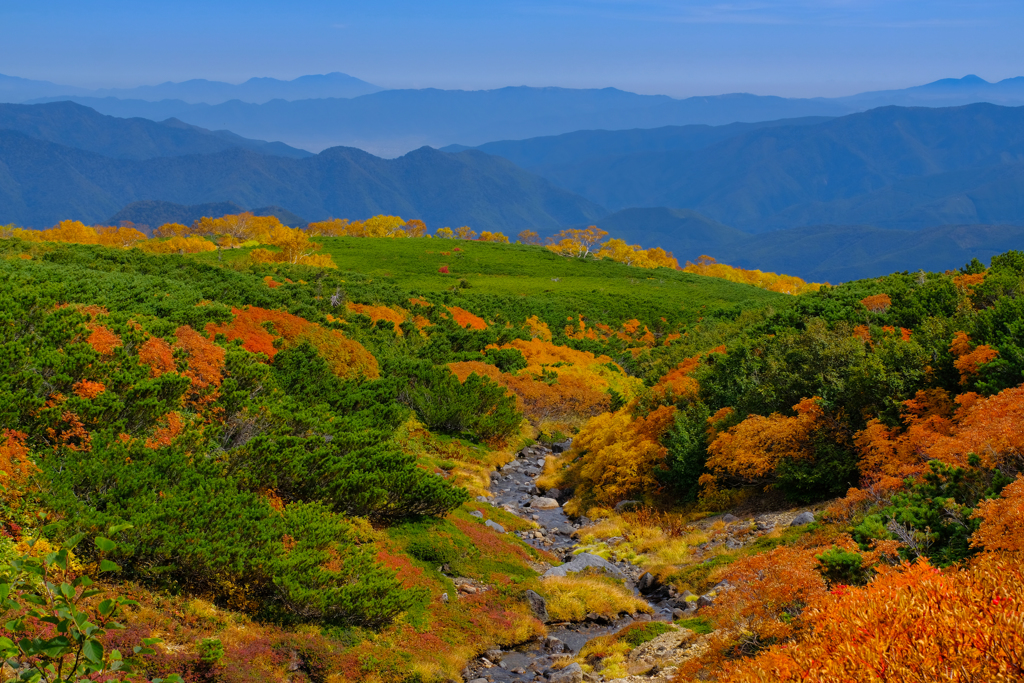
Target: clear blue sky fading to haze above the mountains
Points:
(787, 48)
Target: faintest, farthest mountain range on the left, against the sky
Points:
(257, 91)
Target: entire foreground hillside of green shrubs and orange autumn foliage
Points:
(284, 447)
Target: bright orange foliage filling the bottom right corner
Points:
(913, 623)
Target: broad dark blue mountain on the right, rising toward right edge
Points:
(905, 168)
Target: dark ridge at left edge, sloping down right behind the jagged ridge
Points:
(83, 129)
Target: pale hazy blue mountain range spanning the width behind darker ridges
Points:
(392, 122)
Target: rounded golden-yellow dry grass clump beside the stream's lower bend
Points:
(572, 599)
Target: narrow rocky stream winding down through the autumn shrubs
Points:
(515, 489)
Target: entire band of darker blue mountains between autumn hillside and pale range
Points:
(828, 199)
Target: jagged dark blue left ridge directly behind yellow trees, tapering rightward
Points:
(45, 183)
